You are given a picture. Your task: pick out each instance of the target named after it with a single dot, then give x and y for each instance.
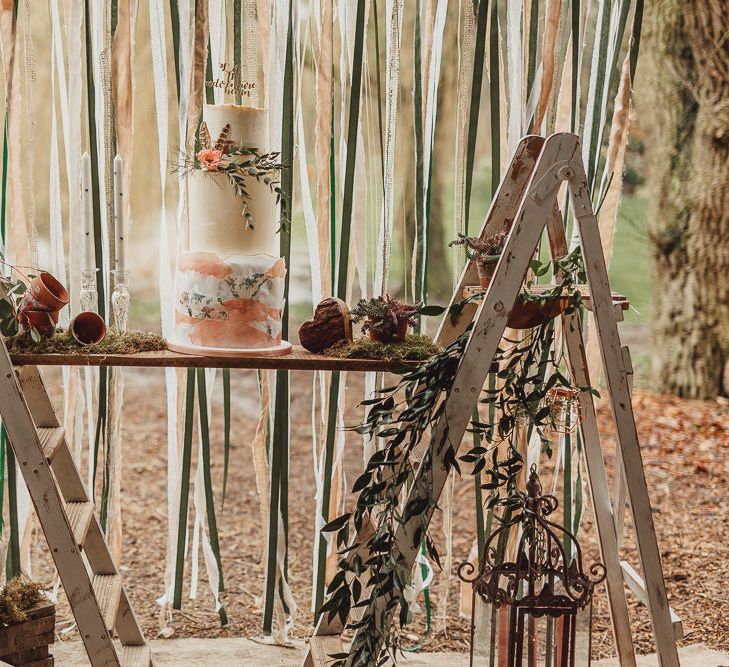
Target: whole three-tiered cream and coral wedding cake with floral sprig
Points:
(230, 281)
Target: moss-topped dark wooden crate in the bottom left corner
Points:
(27, 643)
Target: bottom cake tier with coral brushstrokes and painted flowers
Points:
(234, 302)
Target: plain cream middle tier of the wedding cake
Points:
(216, 216)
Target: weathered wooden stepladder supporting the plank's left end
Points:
(89, 576)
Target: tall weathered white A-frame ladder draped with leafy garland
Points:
(527, 203)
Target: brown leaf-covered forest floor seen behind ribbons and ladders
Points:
(685, 448)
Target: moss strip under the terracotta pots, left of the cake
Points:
(115, 342)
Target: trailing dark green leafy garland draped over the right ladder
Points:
(402, 416)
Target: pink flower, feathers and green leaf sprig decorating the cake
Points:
(238, 163)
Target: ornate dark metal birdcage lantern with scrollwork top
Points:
(539, 597)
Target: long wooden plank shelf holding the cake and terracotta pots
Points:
(298, 360)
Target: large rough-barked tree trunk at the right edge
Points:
(686, 117)
